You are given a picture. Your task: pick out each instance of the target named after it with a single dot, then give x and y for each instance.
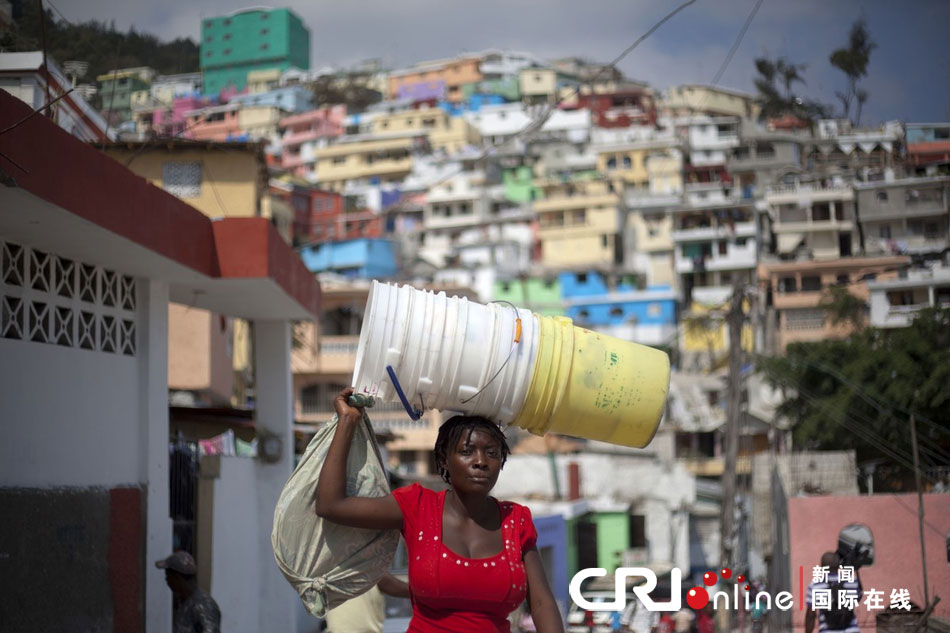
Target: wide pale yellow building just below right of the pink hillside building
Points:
(358, 158)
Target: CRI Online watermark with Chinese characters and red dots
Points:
(821, 594)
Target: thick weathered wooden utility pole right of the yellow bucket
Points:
(734, 319)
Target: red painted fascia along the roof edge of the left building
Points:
(84, 181)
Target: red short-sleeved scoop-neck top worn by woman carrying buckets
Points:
(452, 593)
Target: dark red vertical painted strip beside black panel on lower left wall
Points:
(126, 539)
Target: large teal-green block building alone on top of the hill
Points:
(253, 39)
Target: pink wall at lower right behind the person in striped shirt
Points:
(815, 522)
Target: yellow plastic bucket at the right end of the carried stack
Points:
(594, 386)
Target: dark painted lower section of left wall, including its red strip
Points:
(84, 546)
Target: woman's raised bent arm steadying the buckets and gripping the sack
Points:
(332, 503)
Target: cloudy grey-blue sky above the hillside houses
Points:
(908, 75)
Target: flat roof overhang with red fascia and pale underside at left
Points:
(74, 200)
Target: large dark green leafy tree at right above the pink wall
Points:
(858, 392)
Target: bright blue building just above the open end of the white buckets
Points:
(357, 259)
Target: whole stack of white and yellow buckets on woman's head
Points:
(509, 365)
